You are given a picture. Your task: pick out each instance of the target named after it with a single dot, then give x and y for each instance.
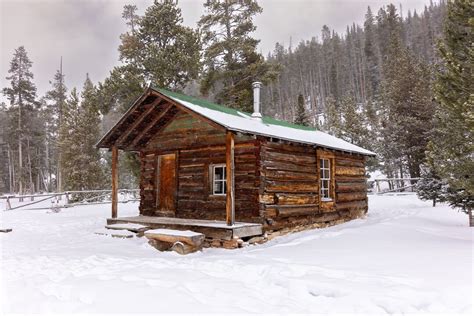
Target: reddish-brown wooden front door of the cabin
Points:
(166, 186)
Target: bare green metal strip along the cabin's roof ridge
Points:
(227, 110)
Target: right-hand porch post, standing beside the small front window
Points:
(230, 193)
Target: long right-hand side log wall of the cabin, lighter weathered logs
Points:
(289, 194)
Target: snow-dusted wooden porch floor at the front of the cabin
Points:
(210, 228)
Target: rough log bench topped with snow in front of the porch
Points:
(183, 242)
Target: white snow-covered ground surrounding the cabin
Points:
(405, 257)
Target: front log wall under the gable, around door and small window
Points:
(198, 146)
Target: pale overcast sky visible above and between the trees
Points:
(86, 32)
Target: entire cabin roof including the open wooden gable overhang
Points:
(153, 110)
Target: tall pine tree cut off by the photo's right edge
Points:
(453, 148)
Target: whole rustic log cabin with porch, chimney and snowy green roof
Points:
(230, 174)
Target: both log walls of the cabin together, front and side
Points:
(276, 183)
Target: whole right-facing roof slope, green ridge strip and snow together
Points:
(242, 122)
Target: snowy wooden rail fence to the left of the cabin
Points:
(71, 198)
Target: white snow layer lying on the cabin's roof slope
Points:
(245, 123)
